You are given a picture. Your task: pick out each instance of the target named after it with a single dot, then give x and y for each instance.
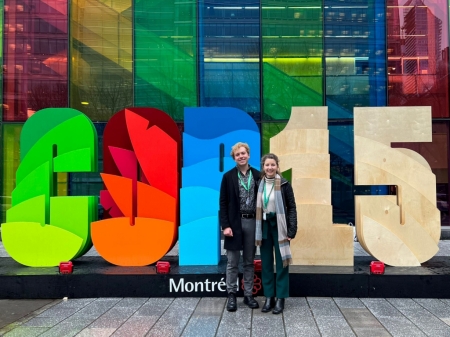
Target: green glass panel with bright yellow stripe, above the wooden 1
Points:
(292, 50)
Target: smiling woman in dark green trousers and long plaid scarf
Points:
(276, 225)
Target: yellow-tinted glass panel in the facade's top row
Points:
(101, 57)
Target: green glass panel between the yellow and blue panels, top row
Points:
(165, 53)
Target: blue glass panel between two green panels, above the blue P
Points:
(229, 74)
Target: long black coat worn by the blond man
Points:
(229, 212)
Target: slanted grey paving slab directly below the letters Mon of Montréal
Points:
(174, 319)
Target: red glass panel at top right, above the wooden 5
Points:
(418, 54)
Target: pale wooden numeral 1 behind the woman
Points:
(303, 147)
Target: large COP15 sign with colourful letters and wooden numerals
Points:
(147, 211)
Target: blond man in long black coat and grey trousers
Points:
(237, 219)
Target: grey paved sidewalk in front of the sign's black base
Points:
(207, 317)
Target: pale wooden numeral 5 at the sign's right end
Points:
(401, 230)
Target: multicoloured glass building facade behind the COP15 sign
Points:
(260, 56)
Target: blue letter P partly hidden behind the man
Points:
(206, 132)
